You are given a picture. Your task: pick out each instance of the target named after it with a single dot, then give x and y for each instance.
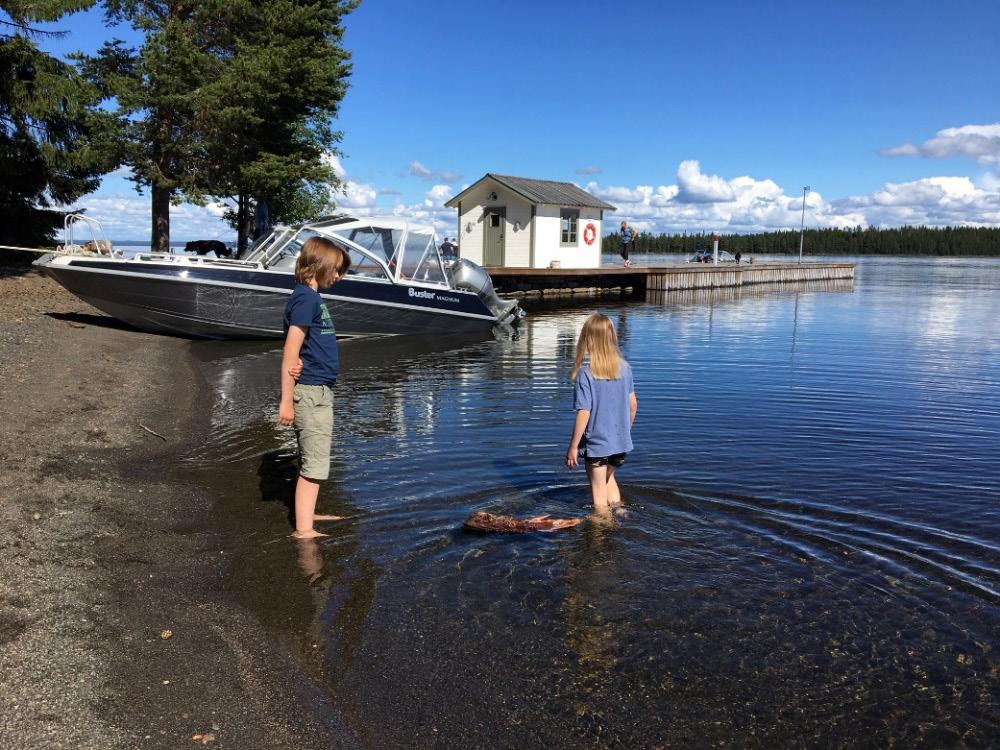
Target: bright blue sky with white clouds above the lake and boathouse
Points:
(686, 118)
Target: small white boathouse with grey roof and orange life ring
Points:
(517, 222)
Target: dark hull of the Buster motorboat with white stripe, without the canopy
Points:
(205, 301)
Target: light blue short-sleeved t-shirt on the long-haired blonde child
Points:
(609, 430)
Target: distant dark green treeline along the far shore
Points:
(857, 241)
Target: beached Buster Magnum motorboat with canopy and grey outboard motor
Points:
(397, 283)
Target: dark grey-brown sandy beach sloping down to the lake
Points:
(106, 546)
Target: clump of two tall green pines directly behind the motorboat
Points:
(229, 99)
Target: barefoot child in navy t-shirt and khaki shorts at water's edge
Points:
(311, 339)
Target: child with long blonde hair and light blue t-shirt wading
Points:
(605, 403)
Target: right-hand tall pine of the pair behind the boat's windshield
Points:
(274, 105)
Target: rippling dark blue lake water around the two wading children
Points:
(811, 555)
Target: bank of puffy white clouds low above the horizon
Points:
(696, 202)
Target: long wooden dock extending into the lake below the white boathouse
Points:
(546, 281)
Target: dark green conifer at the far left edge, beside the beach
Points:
(54, 143)
